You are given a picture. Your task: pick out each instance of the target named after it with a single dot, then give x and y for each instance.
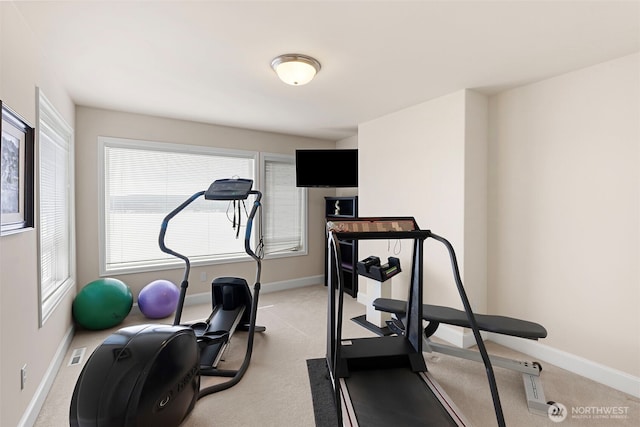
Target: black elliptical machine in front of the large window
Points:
(150, 374)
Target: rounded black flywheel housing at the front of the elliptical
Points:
(145, 375)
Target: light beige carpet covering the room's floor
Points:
(275, 390)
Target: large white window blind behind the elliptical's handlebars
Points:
(144, 181)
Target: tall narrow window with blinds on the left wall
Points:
(55, 219)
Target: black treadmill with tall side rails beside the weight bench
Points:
(382, 381)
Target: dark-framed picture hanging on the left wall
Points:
(16, 172)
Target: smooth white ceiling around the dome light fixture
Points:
(209, 61)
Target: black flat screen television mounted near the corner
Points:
(327, 168)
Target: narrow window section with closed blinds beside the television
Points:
(285, 217)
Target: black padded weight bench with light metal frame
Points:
(436, 315)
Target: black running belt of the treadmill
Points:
(395, 397)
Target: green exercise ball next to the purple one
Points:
(102, 304)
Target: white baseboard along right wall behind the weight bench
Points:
(540, 352)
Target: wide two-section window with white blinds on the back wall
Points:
(144, 181)
